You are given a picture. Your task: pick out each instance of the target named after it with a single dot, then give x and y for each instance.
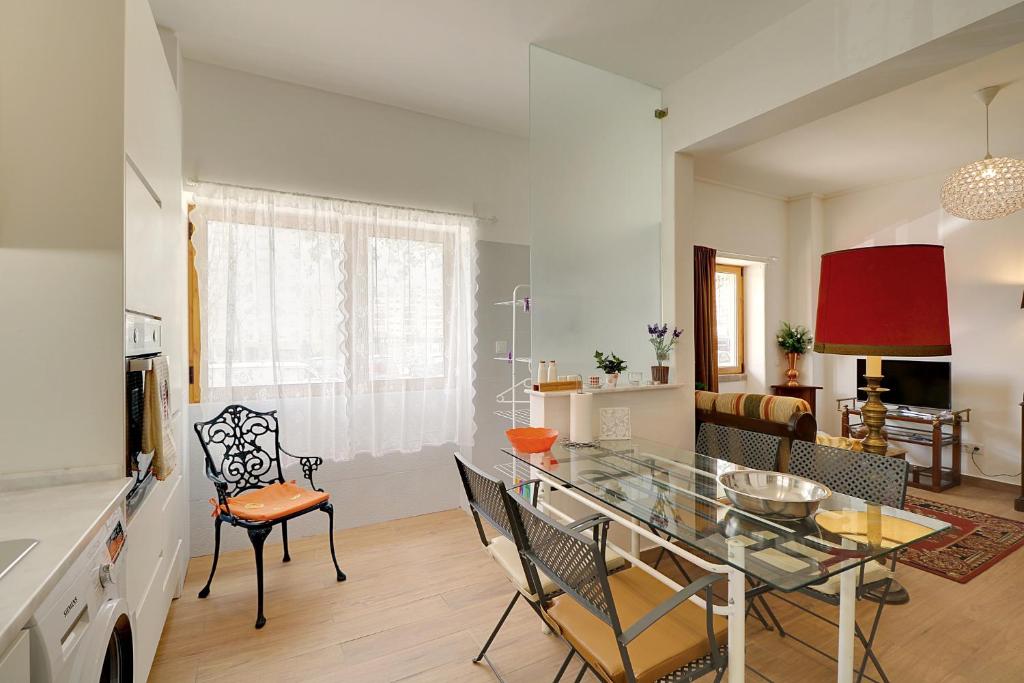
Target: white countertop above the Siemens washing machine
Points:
(63, 520)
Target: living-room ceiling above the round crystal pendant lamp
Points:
(930, 126)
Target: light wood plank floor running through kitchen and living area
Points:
(422, 596)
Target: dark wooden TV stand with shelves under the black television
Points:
(923, 430)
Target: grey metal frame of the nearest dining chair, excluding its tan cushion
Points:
(575, 563)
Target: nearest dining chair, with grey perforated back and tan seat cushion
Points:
(627, 627)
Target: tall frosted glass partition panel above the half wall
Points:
(595, 174)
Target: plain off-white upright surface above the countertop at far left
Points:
(62, 161)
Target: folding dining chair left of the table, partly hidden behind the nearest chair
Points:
(487, 497)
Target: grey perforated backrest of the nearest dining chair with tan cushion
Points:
(574, 562)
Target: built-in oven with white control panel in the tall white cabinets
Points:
(144, 343)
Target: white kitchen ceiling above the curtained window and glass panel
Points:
(461, 60)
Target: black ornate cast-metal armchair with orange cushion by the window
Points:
(243, 460)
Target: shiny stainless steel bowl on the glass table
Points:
(774, 495)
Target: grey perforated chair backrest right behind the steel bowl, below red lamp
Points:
(875, 479)
